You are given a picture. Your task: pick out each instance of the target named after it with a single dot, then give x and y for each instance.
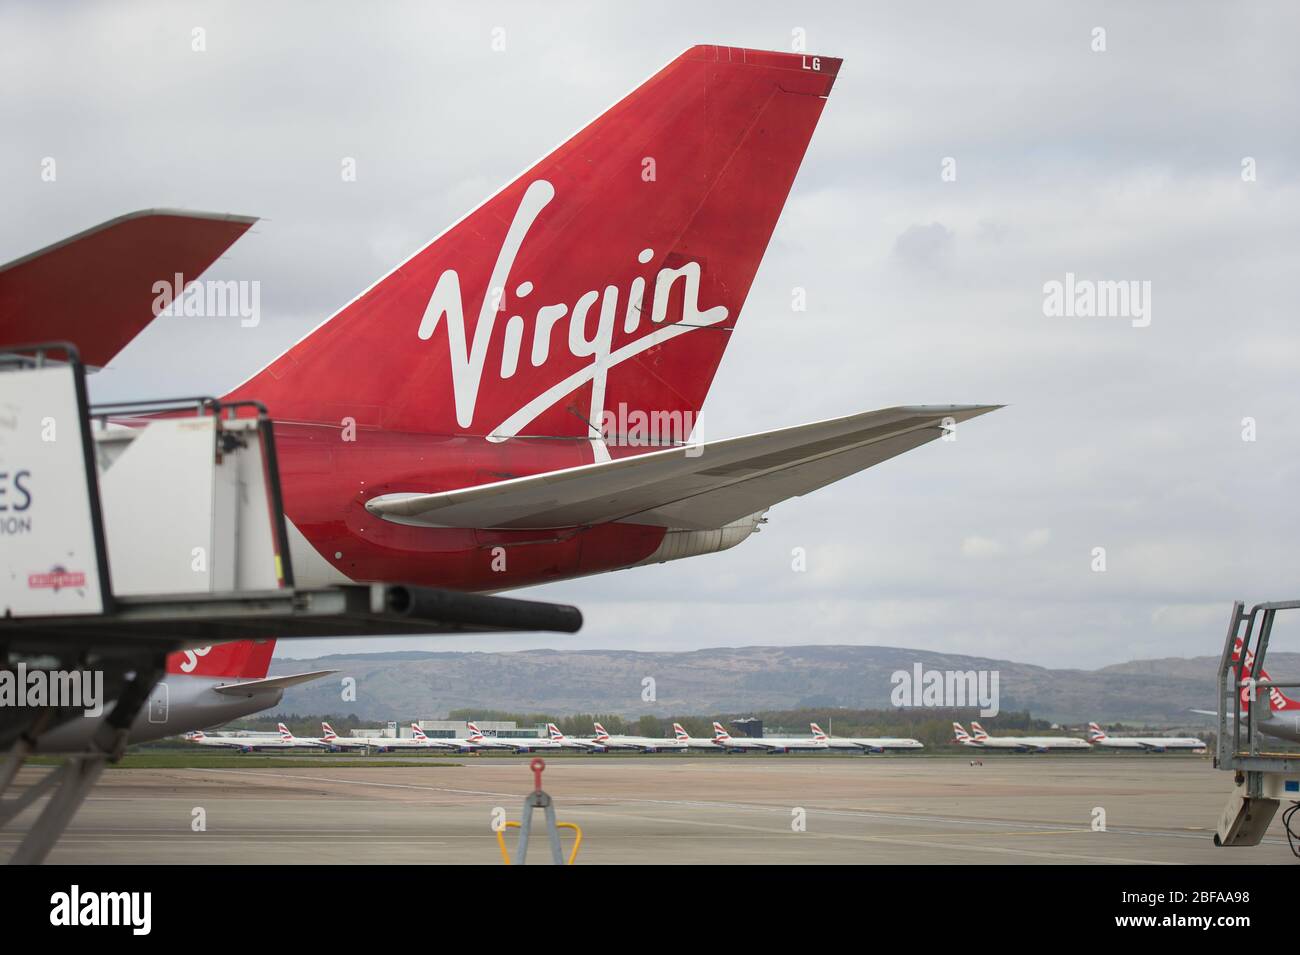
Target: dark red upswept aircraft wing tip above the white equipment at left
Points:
(97, 289)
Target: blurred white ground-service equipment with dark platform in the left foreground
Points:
(129, 532)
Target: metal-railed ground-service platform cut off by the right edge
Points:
(1266, 775)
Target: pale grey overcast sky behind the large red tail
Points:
(1116, 166)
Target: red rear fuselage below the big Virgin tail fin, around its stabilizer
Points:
(328, 474)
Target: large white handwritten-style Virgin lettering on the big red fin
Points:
(469, 359)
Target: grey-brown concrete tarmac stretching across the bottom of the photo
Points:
(669, 810)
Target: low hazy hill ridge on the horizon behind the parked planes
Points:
(408, 684)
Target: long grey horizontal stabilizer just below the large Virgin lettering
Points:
(703, 487)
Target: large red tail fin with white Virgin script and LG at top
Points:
(606, 279)
